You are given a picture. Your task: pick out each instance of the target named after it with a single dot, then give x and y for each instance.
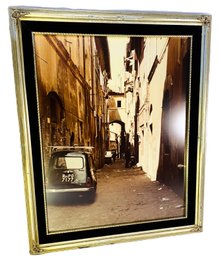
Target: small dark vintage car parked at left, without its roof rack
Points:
(71, 173)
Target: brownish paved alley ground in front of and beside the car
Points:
(123, 196)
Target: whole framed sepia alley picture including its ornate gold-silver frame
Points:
(112, 108)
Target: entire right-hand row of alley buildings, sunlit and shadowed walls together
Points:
(157, 75)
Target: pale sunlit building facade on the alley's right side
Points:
(146, 71)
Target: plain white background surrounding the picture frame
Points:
(13, 228)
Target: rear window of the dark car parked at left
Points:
(69, 162)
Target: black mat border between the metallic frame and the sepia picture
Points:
(27, 28)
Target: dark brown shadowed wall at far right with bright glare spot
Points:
(174, 115)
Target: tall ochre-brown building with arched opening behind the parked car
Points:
(71, 75)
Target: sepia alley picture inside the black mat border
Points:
(113, 114)
